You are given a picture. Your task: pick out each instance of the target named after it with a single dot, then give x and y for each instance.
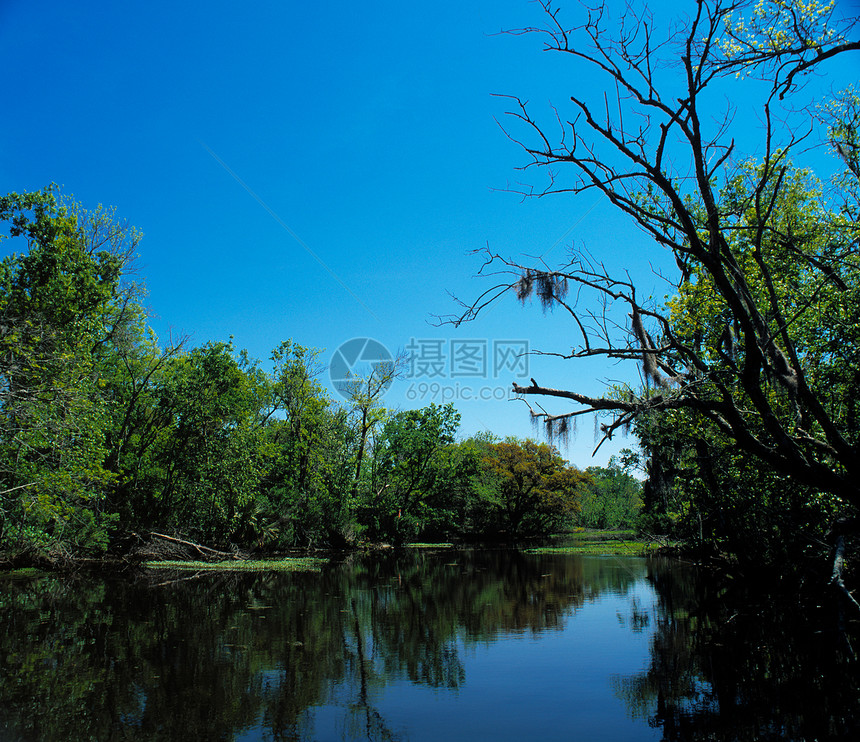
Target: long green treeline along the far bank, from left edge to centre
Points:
(108, 432)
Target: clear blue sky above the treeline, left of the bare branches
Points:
(366, 129)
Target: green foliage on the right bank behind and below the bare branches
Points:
(705, 487)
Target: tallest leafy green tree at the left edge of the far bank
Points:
(61, 304)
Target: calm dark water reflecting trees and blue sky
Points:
(428, 646)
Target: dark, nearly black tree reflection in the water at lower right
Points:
(730, 663)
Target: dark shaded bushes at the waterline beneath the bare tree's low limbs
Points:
(721, 502)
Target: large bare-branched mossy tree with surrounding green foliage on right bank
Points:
(749, 405)
